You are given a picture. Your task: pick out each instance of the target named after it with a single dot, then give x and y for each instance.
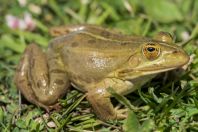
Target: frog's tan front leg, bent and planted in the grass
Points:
(99, 98)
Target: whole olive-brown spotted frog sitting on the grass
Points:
(94, 59)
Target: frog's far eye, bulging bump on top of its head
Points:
(164, 37)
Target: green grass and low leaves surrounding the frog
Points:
(164, 104)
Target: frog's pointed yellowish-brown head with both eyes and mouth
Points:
(155, 56)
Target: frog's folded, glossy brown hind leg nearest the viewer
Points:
(41, 78)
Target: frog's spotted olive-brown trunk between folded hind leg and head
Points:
(91, 57)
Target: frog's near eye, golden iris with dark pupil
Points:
(151, 51)
